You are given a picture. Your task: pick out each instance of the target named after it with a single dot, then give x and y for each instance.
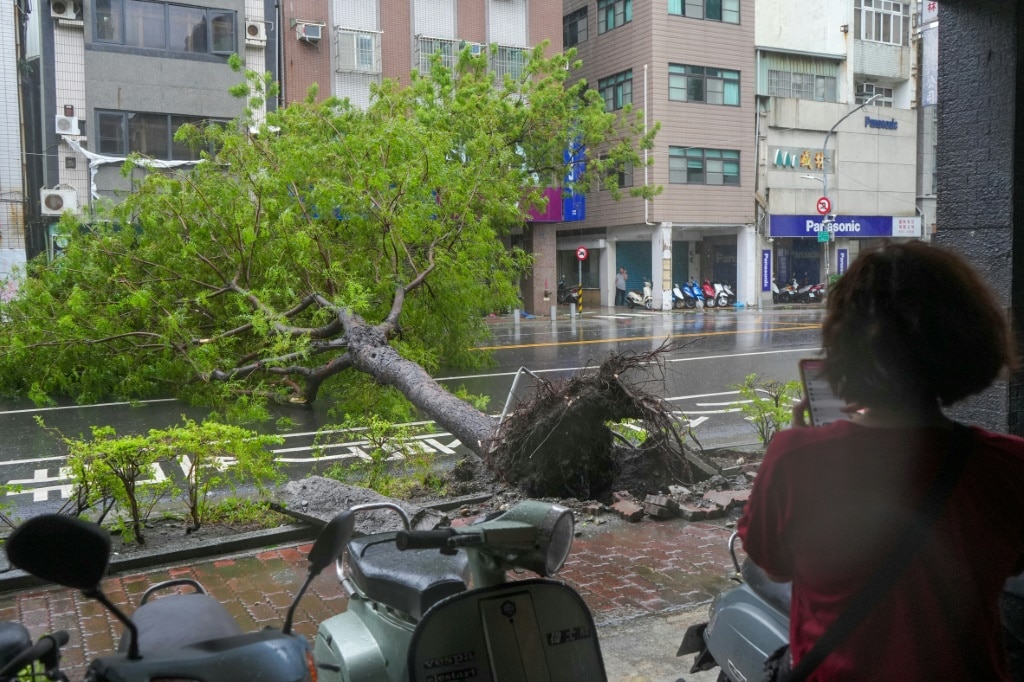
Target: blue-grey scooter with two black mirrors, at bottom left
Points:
(180, 636)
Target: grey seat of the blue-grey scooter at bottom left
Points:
(178, 621)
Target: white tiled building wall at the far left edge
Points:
(12, 197)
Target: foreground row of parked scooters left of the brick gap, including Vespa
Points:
(423, 606)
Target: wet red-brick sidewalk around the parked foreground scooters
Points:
(645, 583)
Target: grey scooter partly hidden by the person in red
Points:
(746, 625)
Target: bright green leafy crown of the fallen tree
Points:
(201, 283)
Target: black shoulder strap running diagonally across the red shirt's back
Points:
(894, 566)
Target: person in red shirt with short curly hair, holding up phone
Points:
(900, 485)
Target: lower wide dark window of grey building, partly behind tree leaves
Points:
(151, 135)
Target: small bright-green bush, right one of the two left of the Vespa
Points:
(214, 455)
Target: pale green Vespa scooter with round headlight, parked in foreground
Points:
(433, 606)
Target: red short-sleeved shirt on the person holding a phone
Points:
(829, 505)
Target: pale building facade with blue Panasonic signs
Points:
(838, 135)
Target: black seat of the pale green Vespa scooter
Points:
(410, 581)
